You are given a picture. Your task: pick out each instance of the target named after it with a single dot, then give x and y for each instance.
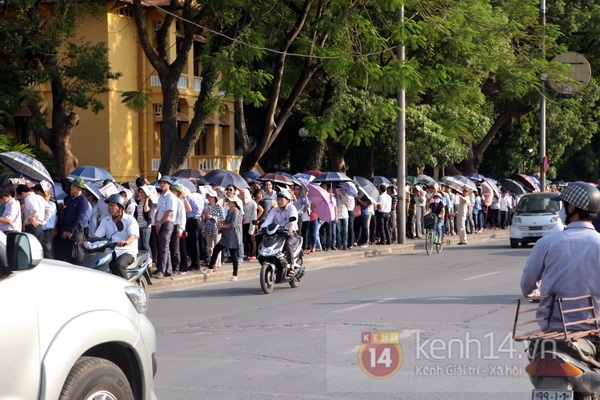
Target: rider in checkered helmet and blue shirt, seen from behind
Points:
(567, 262)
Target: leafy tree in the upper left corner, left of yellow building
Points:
(39, 46)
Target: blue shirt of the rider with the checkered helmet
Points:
(568, 264)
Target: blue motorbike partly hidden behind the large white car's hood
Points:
(95, 257)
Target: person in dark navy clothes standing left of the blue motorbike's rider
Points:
(73, 223)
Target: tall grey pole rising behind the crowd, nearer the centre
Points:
(401, 131)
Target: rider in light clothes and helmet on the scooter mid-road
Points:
(281, 216)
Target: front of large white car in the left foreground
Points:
(70, 333)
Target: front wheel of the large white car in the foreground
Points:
(94, 378)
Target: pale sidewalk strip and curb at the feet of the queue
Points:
(195, 277)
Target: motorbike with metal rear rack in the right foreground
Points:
(563, 363)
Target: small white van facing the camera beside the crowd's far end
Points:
(535, 216)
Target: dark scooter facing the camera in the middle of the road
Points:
(271, 256)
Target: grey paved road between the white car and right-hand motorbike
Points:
(453, 311)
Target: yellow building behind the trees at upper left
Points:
(127, 143)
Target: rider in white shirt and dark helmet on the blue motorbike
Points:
(126, 237)
